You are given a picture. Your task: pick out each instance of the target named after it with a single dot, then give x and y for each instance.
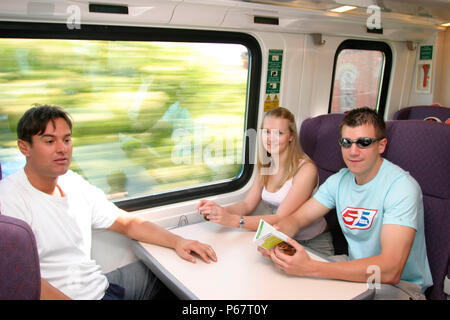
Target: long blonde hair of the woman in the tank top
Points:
(295, 151)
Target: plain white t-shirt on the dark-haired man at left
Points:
(63, 229)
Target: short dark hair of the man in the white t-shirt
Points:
(35, 120)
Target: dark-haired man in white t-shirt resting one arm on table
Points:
(62, 208)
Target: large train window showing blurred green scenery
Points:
(158, 115)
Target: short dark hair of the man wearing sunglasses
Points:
(360, 116)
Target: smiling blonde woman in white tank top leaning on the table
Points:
(286, 178)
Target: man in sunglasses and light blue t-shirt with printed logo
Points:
(380, 212)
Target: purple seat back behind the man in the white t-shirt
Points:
(20, 276)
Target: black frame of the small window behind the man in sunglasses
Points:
(386, 75)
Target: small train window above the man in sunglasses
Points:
(360, 76)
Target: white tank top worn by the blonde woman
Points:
(274, 199)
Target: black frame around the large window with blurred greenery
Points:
(44, 30)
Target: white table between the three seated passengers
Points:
(241, 272)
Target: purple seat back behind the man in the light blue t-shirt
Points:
(423, 149)
